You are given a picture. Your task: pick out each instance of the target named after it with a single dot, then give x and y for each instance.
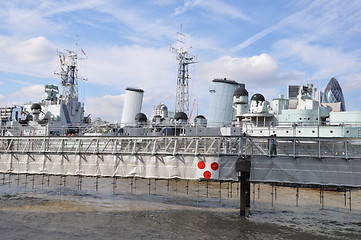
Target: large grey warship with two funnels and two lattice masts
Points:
(305, 113)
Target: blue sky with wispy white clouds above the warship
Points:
(267, 45)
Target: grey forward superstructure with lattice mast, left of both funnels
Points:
(56, 114)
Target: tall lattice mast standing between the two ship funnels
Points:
(185, 59)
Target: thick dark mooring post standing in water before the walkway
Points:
(243, 168)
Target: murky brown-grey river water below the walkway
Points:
(87, 208)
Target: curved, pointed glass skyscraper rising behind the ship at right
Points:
(333, 94)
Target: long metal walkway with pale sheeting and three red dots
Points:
(298, 160)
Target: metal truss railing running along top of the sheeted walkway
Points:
(182, 145)
